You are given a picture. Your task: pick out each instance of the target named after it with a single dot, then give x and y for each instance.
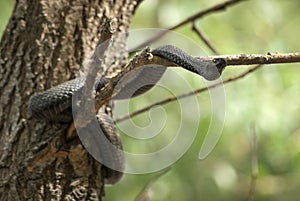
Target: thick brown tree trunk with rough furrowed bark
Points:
(44, 44)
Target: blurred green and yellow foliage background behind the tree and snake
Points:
(267, 99)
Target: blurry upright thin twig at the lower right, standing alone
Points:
(254, 168)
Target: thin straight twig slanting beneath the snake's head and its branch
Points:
(173, 98)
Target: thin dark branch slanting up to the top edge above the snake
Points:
(218, 7)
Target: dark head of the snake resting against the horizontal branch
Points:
(214, 69)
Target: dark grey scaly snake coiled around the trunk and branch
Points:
(55, 104)
